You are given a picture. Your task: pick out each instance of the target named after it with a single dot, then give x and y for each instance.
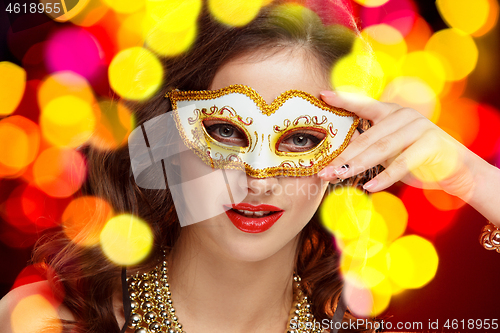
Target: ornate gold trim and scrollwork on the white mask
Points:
(317, 161)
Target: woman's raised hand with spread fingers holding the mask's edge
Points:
(411, 148)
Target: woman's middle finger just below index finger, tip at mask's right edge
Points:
(350, 162)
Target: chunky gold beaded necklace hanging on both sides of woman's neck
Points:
(153, 310)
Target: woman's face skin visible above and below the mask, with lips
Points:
(298, 198)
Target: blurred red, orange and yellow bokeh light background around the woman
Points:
(410, 255)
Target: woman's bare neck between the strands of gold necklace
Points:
(215, 293)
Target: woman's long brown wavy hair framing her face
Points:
(88, 278)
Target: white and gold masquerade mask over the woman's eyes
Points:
(234, 128)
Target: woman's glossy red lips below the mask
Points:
(253, 224)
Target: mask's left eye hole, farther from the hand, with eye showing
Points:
(225, 132)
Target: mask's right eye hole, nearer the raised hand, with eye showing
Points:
(300, 140)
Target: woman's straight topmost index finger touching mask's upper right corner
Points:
(363, 106)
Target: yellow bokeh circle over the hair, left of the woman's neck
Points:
(126, 239)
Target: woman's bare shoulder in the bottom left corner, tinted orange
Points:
(32, 308)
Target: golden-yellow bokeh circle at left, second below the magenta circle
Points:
(67, 121)
